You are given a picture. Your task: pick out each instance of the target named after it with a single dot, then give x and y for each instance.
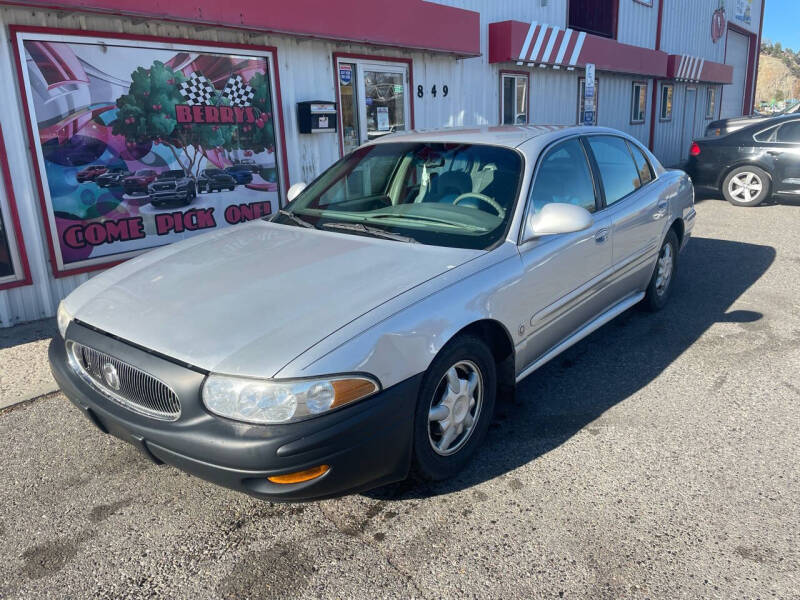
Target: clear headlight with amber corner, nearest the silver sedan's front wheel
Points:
(274, 401)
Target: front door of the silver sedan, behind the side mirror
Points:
(562, 273)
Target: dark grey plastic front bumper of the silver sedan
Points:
(365, 445)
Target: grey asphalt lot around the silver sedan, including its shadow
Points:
(655, 459)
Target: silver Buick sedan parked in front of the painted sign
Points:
(364, 332)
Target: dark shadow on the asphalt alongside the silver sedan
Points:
(609, 366)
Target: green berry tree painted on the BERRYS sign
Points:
(147, 113)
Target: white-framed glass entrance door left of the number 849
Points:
(374, 99)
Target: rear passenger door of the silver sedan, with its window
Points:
(636, 209)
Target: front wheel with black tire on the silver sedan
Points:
(470, 360)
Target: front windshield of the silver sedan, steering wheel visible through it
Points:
(456, 195)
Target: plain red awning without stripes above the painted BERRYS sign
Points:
(408, 24)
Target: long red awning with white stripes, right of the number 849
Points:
(543, 45)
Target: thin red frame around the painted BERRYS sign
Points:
(14, 30)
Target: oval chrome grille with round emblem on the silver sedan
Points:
(133, 388)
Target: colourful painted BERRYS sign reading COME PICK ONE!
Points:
(142, 144)
